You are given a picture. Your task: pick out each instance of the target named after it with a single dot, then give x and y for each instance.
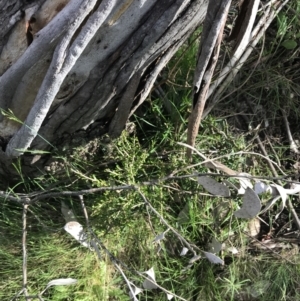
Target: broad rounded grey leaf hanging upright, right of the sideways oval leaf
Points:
(251, 205)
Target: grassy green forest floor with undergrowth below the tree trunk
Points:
(156, 214)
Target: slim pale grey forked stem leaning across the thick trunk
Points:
(62, 62)
